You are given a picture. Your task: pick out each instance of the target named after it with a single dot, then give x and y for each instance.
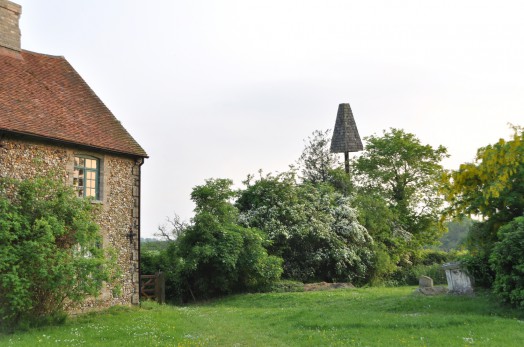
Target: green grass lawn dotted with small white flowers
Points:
(344, 317)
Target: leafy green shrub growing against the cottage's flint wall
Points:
(49, 250)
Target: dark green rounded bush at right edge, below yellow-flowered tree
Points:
(508, 263)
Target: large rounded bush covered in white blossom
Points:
(312, 227)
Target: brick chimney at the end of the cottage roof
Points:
(9, 28)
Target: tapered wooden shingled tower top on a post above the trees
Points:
(345, 136)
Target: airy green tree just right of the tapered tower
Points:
(398, 168)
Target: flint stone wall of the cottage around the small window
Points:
(119, 187)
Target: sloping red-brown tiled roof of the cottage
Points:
(43, 96)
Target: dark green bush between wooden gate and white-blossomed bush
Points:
(215, 255)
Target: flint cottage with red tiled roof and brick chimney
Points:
(51, 121)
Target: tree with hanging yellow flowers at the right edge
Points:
(492, 187)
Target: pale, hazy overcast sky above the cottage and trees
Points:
(221, 89)
